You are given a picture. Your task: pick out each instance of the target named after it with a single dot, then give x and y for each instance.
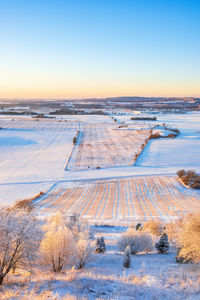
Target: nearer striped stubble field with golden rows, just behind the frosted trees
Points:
(129, 199)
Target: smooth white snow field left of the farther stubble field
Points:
(33, 153)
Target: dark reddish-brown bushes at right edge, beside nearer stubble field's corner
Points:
(190, 178)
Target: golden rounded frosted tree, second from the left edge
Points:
(58, 247)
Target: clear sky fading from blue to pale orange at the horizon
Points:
(99, 48)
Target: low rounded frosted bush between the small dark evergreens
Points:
(137, 240)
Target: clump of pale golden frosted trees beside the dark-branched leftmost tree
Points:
(66, 243)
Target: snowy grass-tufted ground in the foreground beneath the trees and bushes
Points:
(151, 276)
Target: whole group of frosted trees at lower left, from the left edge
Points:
(59, 243)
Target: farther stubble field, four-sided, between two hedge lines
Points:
(105, 146)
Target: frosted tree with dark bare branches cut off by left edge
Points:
(19, 240)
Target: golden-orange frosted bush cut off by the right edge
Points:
(188, 239)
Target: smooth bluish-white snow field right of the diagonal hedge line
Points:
(181, 152)
